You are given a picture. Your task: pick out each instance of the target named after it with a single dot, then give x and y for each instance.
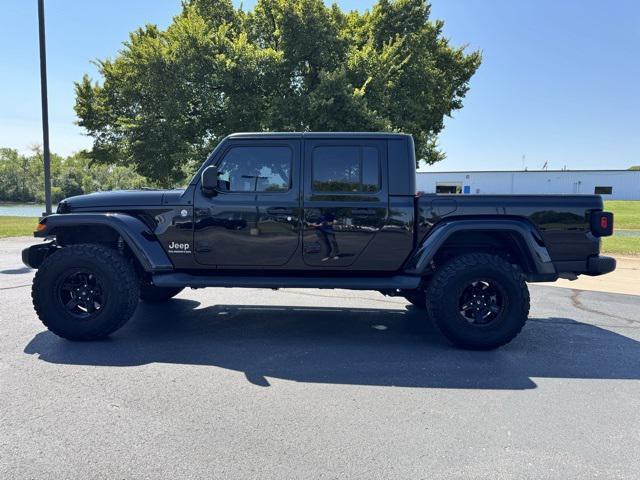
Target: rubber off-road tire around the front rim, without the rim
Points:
(119, 284)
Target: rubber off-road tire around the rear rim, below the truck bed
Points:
(444, 297)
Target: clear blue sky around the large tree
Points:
(558, 84)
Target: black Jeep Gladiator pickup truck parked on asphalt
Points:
(313, 210)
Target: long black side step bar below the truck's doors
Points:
(403, 282)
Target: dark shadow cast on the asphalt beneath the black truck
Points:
(383, 347)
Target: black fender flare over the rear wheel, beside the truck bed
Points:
(418, 263)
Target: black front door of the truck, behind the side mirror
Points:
(254, 220)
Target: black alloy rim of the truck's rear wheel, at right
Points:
(481, 302)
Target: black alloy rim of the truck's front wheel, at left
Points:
(81, 294)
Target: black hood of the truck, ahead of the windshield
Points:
(118, 198)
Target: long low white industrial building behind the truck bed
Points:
(611, 184)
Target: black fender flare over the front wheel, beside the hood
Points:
(138, 237)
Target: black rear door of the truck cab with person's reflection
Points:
(345, 199)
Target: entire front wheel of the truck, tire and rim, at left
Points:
(85, 292)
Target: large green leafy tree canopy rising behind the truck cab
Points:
(170, 96)
